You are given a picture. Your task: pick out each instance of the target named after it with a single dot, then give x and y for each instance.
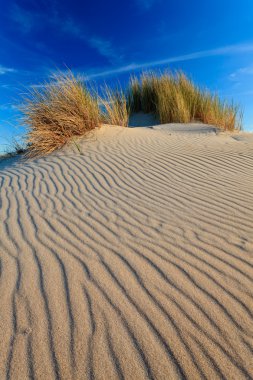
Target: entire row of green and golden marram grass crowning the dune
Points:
(65, 109)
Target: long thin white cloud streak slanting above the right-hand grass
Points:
(225, 50)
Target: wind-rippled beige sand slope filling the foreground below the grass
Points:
(131, 261)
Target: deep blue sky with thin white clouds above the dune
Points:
(212, 41)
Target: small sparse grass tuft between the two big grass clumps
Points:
(114, 103)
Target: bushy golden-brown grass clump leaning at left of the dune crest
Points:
(57, 112)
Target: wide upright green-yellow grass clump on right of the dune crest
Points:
(174, 98)
